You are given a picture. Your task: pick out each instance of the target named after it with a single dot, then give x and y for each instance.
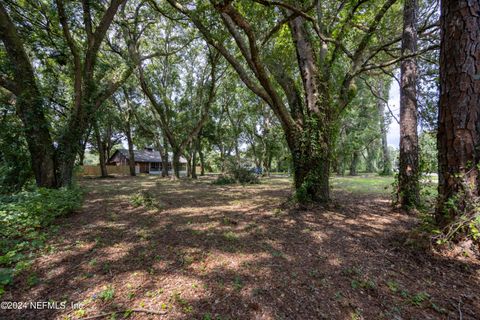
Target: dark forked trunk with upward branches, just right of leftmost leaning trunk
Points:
(88, 97)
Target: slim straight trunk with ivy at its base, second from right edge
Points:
(408, 177)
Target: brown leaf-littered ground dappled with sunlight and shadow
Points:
(236, 252)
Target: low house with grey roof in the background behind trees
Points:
(147, 160)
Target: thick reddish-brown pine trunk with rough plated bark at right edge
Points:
(459, 123)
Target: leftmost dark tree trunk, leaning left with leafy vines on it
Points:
(29, 106)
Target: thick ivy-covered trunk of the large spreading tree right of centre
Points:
(312, 172)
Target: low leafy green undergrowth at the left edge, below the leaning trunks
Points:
(23, 220)
